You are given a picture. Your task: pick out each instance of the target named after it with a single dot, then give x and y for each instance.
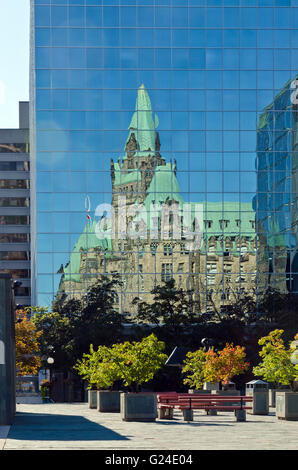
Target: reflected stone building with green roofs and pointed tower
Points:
(218, 264)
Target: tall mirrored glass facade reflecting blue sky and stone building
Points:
(151, 125)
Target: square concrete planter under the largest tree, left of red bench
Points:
(138, 406)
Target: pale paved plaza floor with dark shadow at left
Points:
(75, 426)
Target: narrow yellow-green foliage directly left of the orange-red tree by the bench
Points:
(195, 369)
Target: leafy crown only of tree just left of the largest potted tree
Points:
(98, 368)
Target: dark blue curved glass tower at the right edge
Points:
(276, 199)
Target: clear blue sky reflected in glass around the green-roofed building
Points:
(210, 68)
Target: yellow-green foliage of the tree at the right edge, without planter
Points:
(276, 365)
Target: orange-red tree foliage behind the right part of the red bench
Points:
(221, 366)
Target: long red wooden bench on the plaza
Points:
(210, 403)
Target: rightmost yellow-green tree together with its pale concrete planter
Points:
(279, 367)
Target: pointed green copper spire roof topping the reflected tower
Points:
(142, 123)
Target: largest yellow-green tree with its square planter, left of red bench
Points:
(137, 363)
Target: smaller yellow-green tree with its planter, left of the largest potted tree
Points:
(99, 370)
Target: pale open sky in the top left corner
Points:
(14, 57)
